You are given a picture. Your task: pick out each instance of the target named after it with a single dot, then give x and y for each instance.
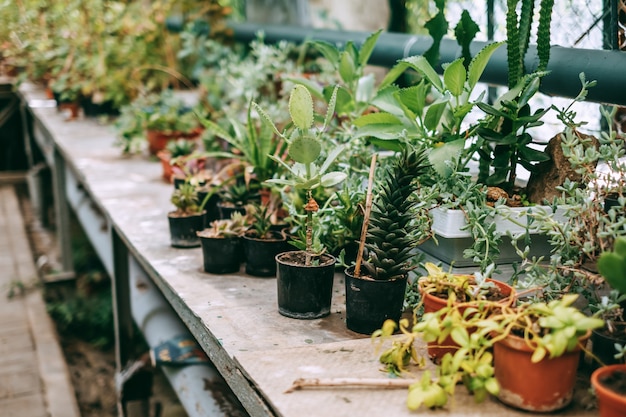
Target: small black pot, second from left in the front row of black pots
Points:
(221, 255)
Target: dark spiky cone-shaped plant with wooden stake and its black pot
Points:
(375, 287)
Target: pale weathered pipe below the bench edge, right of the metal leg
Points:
(200, 388)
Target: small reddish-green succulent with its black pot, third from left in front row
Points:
(262, 243)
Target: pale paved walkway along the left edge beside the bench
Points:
(34, 378)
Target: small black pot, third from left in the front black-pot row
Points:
(260, 254)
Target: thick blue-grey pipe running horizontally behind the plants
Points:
(607, 67)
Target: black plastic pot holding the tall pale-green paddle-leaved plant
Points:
(304, 292)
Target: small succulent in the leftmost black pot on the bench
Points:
(187, 219)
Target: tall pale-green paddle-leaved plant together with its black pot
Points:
(305, 278)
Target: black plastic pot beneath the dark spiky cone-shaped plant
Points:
(369, 302)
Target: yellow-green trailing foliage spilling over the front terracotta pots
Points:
(550, 329)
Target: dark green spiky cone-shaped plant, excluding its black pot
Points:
(391, 232)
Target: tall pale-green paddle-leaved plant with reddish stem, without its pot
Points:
(305, 148)
